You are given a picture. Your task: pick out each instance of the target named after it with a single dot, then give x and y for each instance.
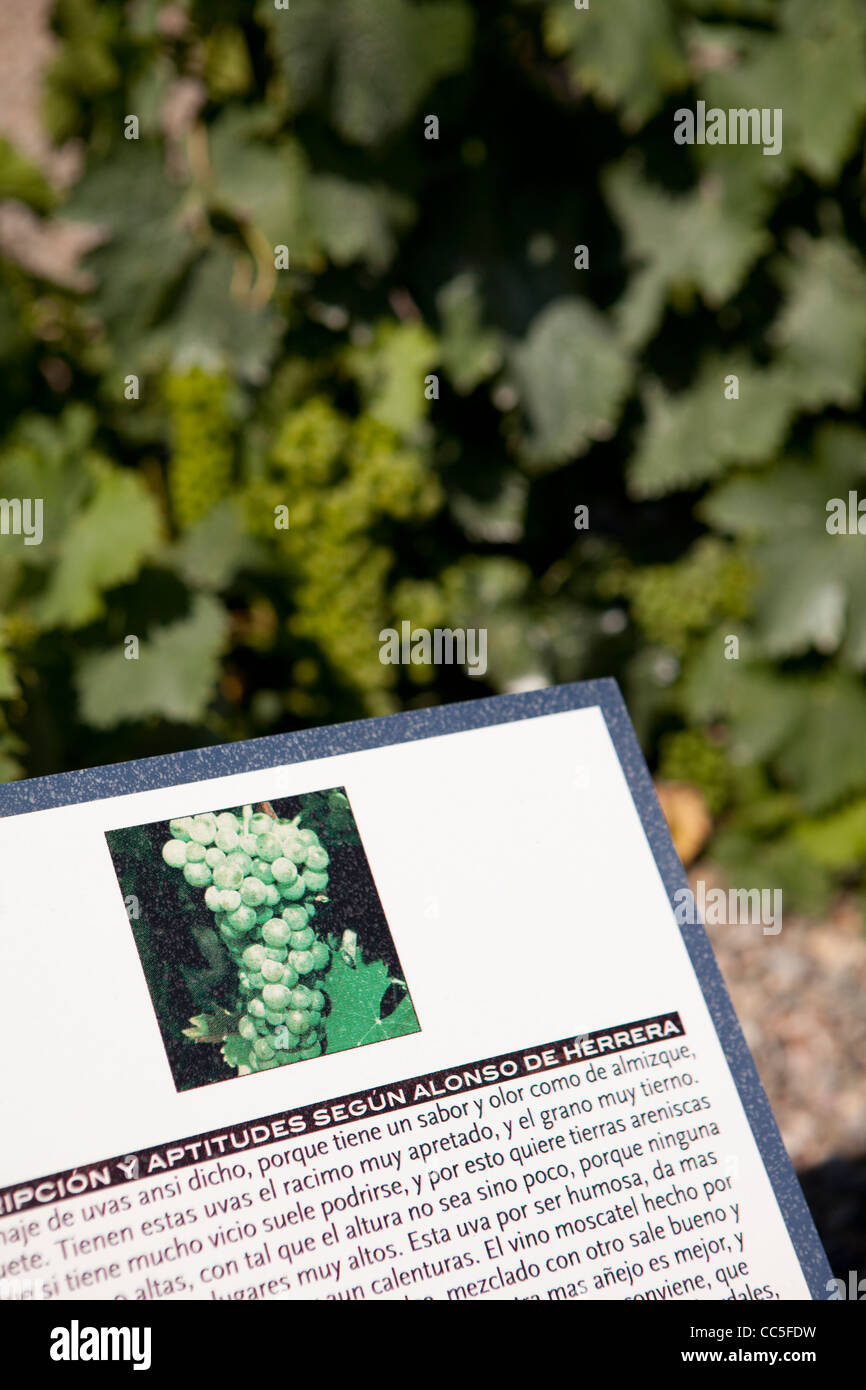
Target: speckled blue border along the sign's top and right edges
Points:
(227, 760)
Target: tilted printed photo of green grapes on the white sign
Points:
(262, 936)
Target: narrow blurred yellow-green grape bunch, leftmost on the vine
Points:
(201, 464)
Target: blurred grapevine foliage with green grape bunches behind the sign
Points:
(559, 387)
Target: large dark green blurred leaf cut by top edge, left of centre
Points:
(372, 63)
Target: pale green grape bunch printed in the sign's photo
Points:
(263, 881)
